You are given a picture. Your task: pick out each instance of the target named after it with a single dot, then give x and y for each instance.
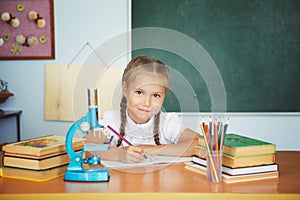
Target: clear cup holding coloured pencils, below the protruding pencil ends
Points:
(214, 166)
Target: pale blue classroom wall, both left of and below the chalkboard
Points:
(26, 78)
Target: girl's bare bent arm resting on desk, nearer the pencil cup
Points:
(185, 146)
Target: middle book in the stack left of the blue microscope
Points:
(35, 163)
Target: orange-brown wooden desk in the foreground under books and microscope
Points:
(169, 182)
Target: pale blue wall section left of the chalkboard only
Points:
(76, 22)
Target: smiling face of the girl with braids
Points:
(145, 95)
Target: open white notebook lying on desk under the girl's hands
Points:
(151, 161)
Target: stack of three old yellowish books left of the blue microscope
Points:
(38, 159)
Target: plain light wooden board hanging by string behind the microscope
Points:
(63, 101)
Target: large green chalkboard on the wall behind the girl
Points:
(254, 44)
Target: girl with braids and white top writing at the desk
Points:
(140, 120)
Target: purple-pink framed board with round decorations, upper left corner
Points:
(26, 29)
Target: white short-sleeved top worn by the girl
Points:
(170, 129)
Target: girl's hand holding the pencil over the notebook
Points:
(131, 154)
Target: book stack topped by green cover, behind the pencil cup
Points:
(244, 159)
